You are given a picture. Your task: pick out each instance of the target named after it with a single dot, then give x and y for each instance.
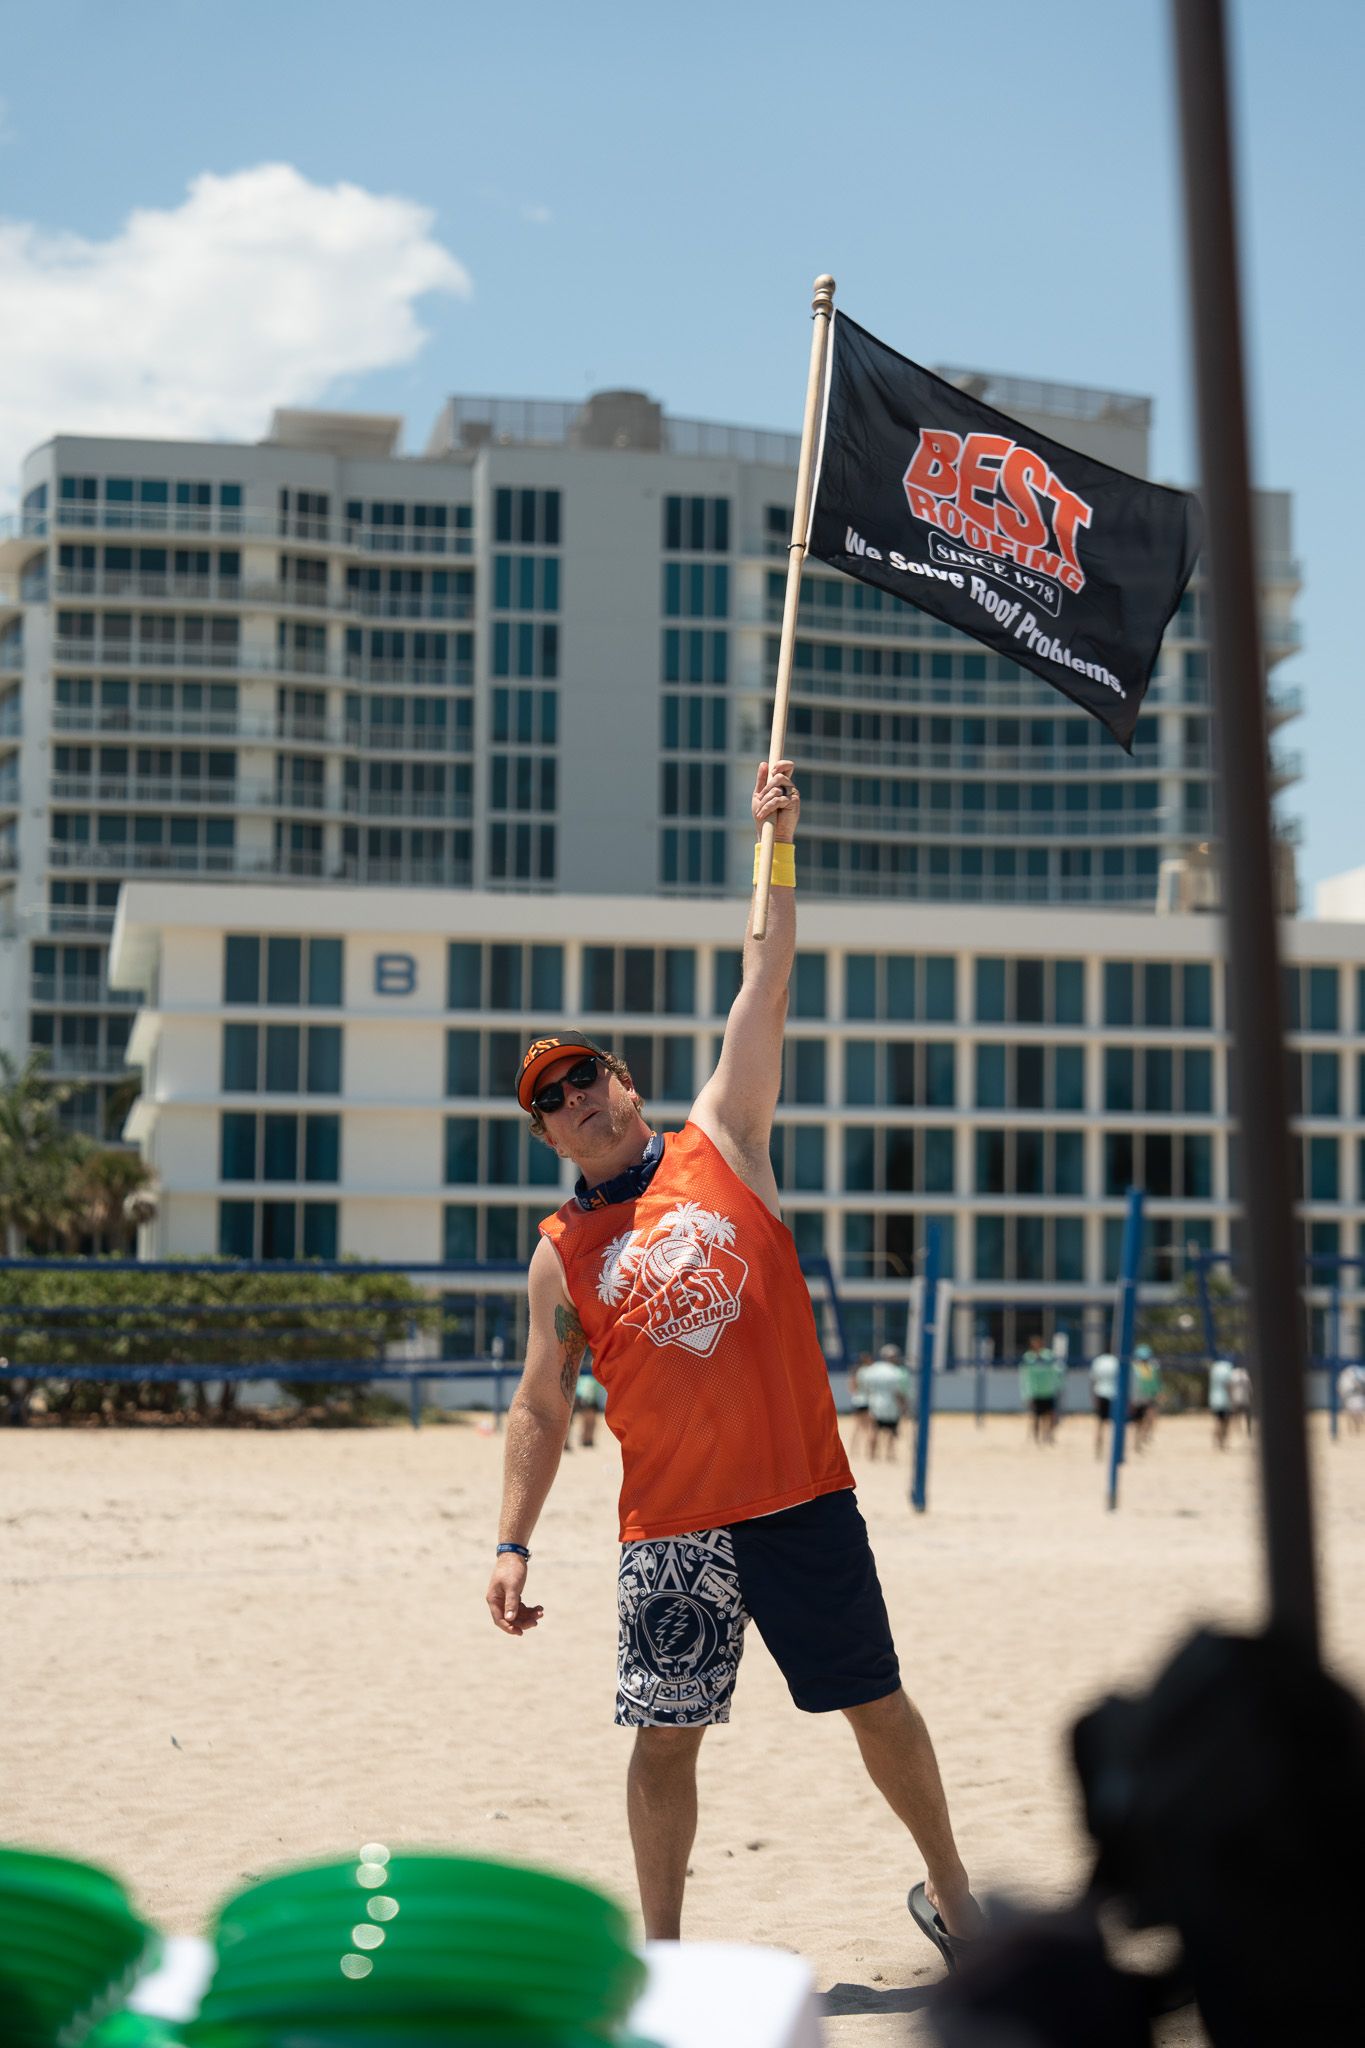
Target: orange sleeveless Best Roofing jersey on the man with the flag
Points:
(701, 1330)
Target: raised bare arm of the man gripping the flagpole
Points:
(738, 1105)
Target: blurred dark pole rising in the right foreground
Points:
(1247, 863)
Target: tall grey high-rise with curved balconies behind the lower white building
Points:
(537, 656)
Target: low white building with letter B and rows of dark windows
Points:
(331, 1072)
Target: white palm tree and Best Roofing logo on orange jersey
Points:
(682, 1277)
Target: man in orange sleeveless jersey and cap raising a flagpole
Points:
(672, 1265)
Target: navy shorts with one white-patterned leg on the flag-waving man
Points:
(805, 1578)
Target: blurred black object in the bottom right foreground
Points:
(1227, 1803)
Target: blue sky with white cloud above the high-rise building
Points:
(547, 200)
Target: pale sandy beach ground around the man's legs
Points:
(236, 1650)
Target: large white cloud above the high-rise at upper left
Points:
(259, 290)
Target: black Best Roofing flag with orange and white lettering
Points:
(1047, 556)
